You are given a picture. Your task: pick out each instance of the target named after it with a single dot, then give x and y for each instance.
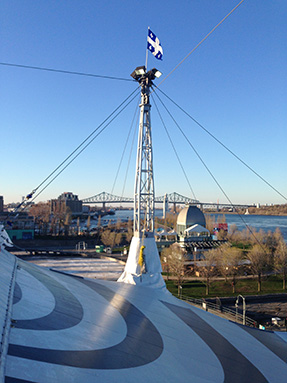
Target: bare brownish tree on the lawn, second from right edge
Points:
(259, 258)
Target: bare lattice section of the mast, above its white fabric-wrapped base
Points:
(144, 182)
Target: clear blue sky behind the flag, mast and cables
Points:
(234, 84)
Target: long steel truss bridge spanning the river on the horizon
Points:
(172, 198)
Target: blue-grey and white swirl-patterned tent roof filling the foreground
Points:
(121, 333)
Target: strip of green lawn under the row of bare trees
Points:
(196, 289)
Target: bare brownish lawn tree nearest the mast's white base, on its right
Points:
(173, 258)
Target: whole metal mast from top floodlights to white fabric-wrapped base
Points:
(143, 263)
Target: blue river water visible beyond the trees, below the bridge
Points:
(264, 222)
